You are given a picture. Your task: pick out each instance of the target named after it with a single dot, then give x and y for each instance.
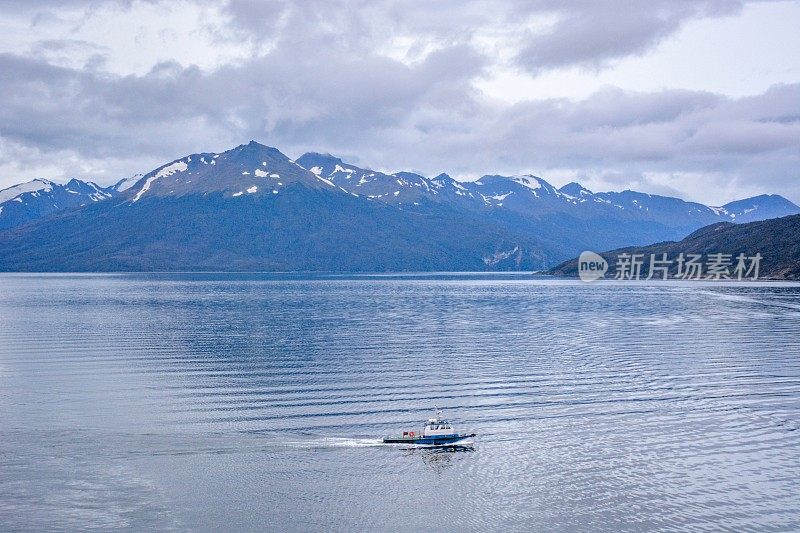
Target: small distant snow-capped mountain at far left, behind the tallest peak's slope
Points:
(39, 198)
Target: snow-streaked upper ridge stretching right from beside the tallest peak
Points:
(532, 196)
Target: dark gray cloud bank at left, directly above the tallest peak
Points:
(173, 109)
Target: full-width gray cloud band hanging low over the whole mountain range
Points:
(392, 115)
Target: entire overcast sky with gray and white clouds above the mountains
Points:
(699, 99)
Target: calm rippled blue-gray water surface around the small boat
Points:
(252, 402)
